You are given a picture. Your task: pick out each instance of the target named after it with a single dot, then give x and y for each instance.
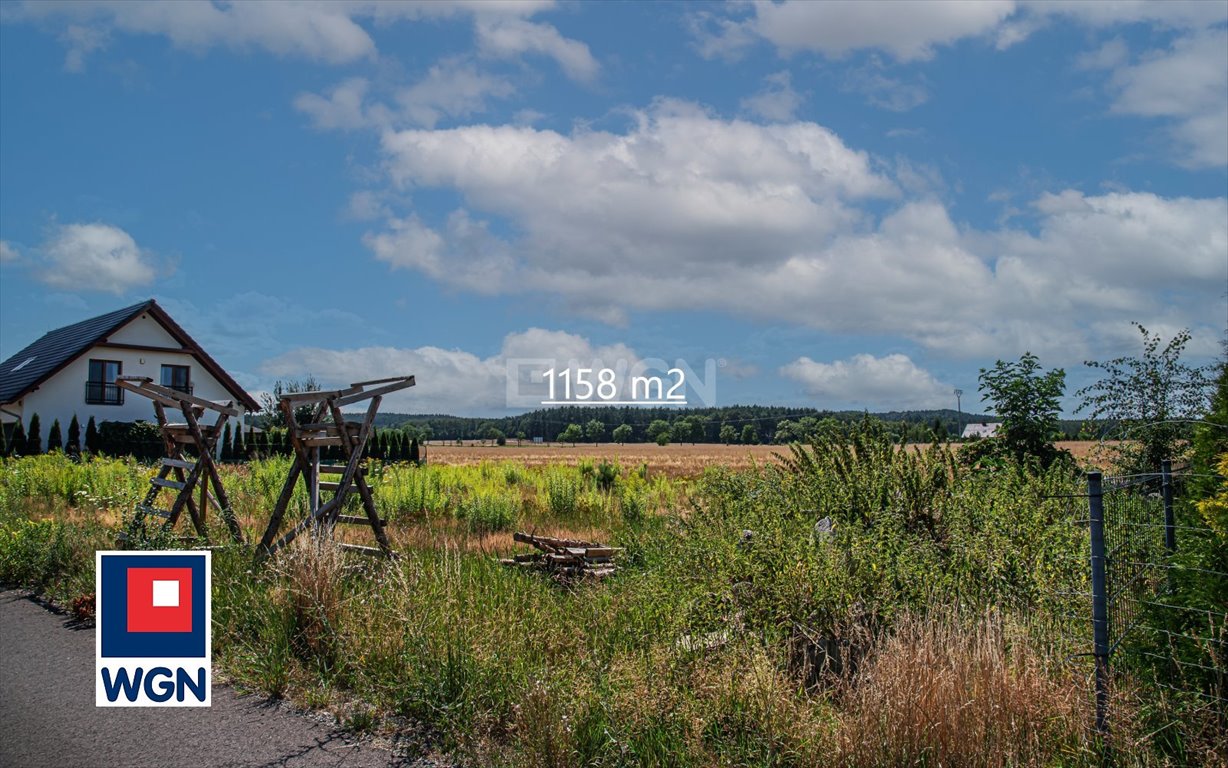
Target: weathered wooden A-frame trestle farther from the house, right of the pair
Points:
(328, 428)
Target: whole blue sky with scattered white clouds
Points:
(852, 206)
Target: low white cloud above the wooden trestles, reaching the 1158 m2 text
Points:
(448, 380)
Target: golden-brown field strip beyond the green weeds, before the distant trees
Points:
(675, 460)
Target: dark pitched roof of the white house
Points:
(41, 361)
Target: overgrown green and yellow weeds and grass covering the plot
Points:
(924, 626)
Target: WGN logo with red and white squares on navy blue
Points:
(154, 630)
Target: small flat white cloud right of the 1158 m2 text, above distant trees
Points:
(866, 382)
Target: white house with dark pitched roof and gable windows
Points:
(73, 370)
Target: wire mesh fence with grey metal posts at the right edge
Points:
(1156, 586)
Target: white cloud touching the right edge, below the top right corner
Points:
(1188, 83)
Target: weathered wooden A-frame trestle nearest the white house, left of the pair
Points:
(188, 472)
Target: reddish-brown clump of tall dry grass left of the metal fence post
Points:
(938, 695)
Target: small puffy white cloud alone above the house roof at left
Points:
(95, 257)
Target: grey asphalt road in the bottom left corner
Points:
(49, 716)
